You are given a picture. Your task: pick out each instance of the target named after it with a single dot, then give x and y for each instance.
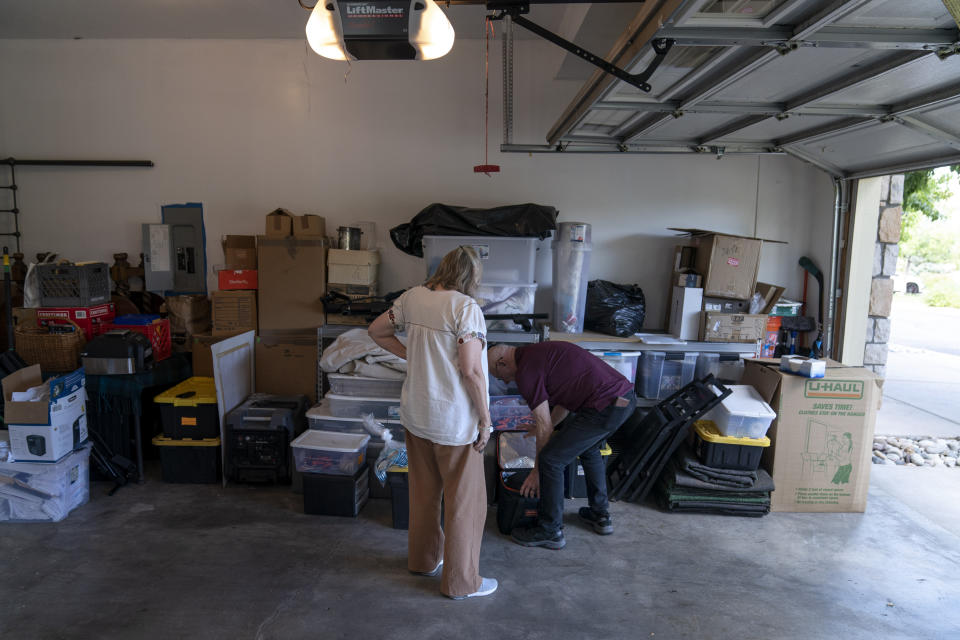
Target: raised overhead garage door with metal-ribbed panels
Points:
(855, 87)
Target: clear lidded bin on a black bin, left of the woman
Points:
(335, 478)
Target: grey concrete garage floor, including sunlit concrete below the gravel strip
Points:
(167, 561)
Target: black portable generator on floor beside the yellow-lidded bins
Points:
(257, 437)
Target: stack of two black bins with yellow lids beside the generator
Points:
(190, 442)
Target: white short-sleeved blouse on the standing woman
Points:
(434, 404)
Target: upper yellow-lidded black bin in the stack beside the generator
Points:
(189, 410)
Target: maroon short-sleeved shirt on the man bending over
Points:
(568, 376)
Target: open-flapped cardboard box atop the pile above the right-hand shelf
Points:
(728, 263)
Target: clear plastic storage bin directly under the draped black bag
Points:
(506, 260)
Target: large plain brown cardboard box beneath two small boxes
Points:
(293, 282)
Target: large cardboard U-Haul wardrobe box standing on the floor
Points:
(821, 439)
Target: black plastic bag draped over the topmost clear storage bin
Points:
(447, 220)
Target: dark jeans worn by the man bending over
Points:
(581, 435)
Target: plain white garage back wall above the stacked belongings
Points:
(248, 126)
